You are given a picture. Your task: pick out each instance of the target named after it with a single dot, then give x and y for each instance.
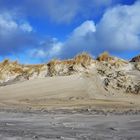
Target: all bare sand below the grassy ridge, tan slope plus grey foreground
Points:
(67, 108)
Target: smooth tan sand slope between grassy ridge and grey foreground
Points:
(75, 91)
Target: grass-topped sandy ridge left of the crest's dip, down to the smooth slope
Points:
(14, 72)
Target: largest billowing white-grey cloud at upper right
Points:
(119, 29)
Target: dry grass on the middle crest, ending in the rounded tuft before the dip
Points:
(67, 67)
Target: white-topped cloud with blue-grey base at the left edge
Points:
(14, 34)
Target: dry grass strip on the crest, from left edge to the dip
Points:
(54, 67)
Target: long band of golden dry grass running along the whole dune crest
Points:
(79, 64)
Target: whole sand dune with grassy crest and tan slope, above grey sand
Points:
(81, 82)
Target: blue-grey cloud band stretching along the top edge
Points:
(64, 11)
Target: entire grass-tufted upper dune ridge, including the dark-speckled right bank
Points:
(114, 72)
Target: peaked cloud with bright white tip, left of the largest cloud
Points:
(81, 39)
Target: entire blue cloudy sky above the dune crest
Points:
(36, 31)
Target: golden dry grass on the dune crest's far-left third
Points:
(13, 69)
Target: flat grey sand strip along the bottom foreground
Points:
(42, 126)
